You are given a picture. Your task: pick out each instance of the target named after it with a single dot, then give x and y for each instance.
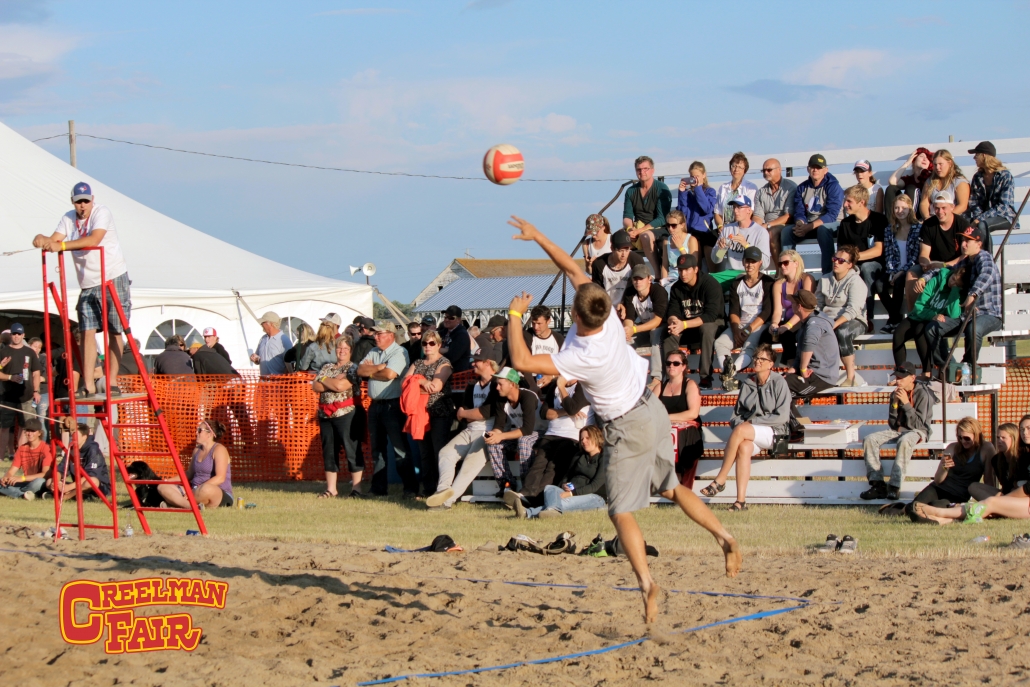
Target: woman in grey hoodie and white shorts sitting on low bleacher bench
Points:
(763, 413)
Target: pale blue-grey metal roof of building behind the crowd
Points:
(495, 294)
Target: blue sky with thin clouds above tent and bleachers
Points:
(581, 88)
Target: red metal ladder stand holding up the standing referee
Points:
(104, 409)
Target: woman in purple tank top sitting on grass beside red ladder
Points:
(210, 473)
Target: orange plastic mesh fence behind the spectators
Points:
(273, 426)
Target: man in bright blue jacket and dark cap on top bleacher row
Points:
(817, 209)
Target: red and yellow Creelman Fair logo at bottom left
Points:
(110, 607)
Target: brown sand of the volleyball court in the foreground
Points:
(301, 613)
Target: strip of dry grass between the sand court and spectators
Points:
(292, 512)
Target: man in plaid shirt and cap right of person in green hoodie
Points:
(985, 294)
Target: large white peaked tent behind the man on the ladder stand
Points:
(182, 279)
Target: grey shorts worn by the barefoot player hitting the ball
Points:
(641, 458)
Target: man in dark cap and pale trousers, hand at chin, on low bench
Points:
(909, 420)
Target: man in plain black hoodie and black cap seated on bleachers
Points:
(696, 315)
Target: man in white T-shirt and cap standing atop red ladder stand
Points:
(87, 227)
